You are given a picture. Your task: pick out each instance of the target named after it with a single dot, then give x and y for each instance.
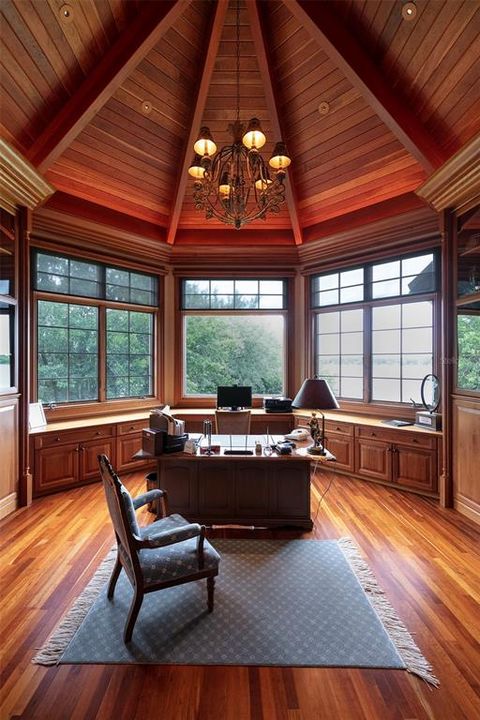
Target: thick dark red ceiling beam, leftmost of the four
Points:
(98, 87)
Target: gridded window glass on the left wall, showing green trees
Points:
(98, 349)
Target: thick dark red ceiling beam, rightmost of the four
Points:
(329, 30)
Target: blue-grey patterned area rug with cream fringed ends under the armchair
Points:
(294, 602)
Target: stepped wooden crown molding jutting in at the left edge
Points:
(22, 185)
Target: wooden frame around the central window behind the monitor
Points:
(209, 401)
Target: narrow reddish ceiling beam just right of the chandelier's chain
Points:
(264, 64)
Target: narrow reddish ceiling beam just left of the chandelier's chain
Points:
(220, 10)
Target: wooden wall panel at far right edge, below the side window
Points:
(466, 444)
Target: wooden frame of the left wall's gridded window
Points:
(85, 408)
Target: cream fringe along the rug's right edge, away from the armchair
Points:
(408, 650)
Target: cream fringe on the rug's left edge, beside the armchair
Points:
(55, 646)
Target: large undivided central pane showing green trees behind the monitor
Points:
(234, 349)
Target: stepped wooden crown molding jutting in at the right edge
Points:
(456, 184)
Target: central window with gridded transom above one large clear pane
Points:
(234, 333)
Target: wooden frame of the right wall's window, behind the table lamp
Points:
(384, 407)
